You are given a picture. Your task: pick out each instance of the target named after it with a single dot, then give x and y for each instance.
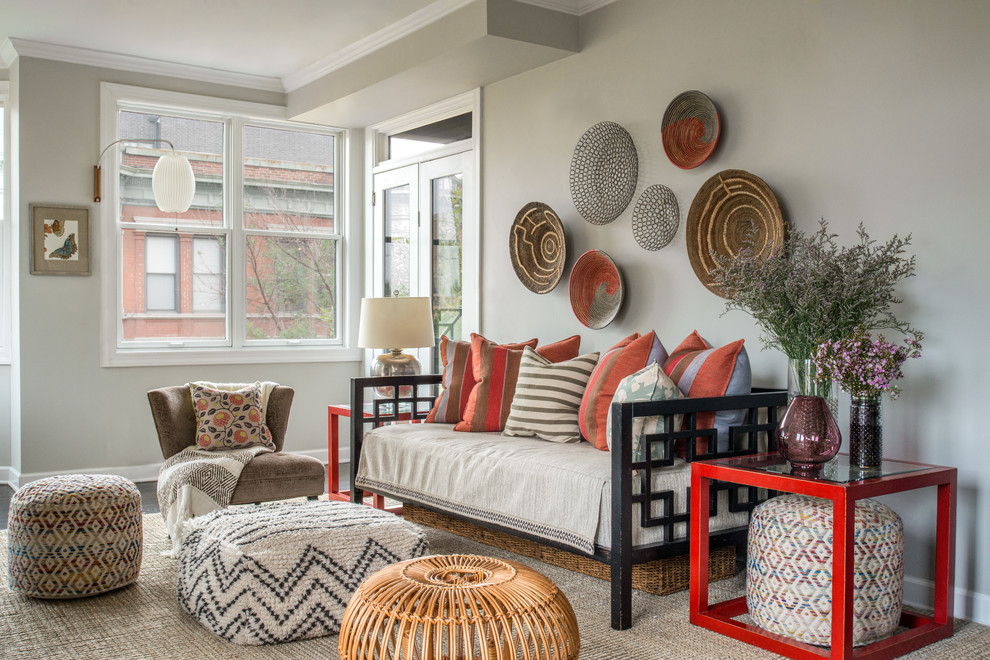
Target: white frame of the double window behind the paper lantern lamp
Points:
(235, 349)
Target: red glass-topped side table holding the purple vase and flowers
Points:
(843, 485)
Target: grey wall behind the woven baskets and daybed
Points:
(853, 111)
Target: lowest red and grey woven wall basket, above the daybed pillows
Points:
(596, 289)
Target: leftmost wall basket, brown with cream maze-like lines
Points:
(537, 247)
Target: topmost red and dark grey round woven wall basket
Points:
(690, 129)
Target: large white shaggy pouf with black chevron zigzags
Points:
(283, 571)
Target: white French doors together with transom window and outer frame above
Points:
(425, 213)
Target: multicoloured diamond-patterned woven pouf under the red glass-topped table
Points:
(789, 570)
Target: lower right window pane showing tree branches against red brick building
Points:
(291, 288)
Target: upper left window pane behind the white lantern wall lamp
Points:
(200, 141)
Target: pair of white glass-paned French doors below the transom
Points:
(420, 223)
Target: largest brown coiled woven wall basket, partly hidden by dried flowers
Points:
(727, 210)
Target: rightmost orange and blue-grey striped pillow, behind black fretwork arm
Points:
(703, 371)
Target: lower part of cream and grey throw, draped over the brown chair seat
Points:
(194, 482)
